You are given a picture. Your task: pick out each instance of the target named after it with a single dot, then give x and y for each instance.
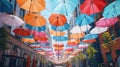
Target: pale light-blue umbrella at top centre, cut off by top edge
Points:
(65, 6)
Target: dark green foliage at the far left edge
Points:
(3, 39)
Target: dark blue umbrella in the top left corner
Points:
(6, 6)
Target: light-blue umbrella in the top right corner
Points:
(112, 10)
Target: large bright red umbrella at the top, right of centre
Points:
(92, 6)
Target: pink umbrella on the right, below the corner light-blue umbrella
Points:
(106, 22)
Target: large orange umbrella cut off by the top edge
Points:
(32, 5)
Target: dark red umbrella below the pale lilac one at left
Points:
(21, 32)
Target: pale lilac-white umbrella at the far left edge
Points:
(11, 20)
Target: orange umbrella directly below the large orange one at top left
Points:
(35, 20)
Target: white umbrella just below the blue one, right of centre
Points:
(80, 29)
